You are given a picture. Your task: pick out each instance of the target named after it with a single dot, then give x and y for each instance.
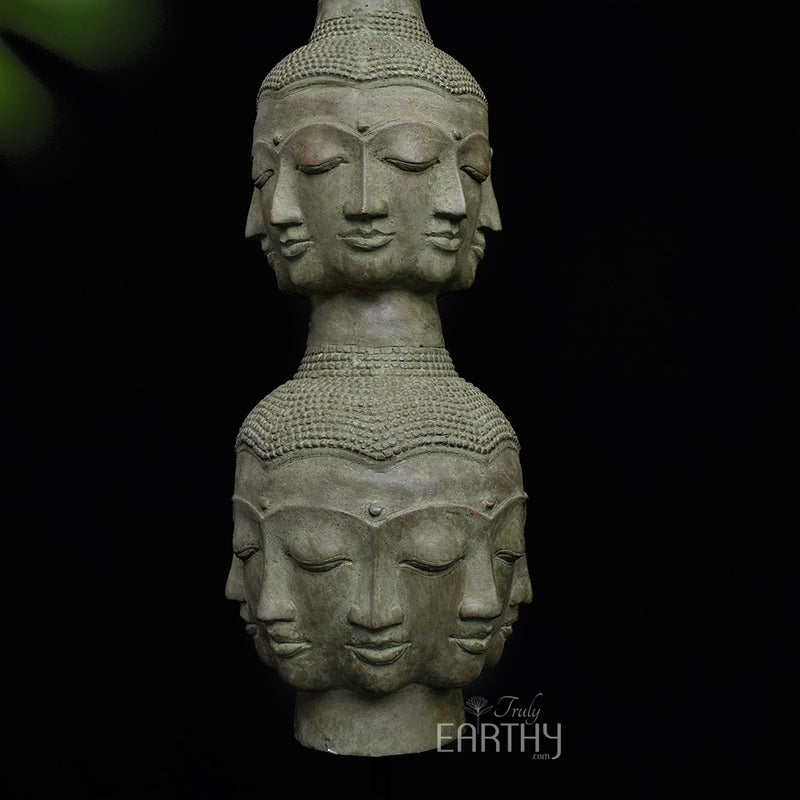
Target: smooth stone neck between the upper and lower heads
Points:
(391, 318)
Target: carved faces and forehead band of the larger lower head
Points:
(372, 579)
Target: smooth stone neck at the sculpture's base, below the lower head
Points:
(412, 720)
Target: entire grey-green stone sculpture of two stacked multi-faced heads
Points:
(379, 556)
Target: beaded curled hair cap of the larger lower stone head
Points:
(381, 404)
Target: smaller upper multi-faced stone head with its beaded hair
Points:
(371, 158)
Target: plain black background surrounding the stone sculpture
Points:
(632, 321)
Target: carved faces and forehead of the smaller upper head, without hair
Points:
(371, 188)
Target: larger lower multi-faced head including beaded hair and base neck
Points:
(378, 541)
